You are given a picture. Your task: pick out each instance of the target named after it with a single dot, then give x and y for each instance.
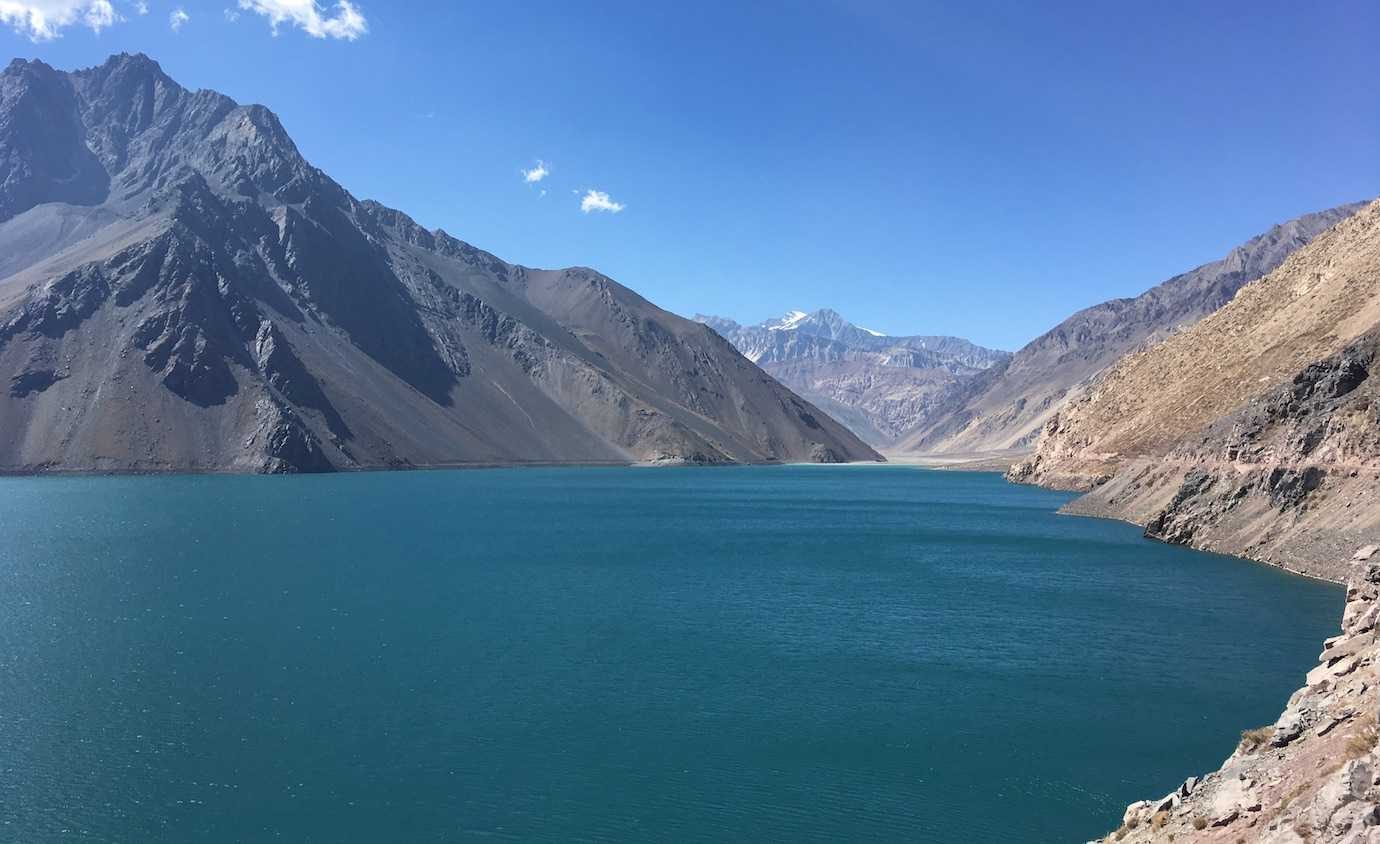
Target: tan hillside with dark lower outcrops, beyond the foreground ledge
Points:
(1258, 430)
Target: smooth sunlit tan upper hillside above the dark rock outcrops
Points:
(1321, 300)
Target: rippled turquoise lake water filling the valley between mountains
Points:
(615, 656)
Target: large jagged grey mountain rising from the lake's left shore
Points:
(181, 290)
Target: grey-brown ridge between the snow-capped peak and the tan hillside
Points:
(1007, 406)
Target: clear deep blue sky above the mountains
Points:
(979, 170)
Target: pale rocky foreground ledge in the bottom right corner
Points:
(1313, 776)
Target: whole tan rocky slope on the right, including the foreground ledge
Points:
(1256, 432)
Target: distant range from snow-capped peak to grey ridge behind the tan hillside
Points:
(947, 396)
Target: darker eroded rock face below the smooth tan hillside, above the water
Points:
(1291, 479)
